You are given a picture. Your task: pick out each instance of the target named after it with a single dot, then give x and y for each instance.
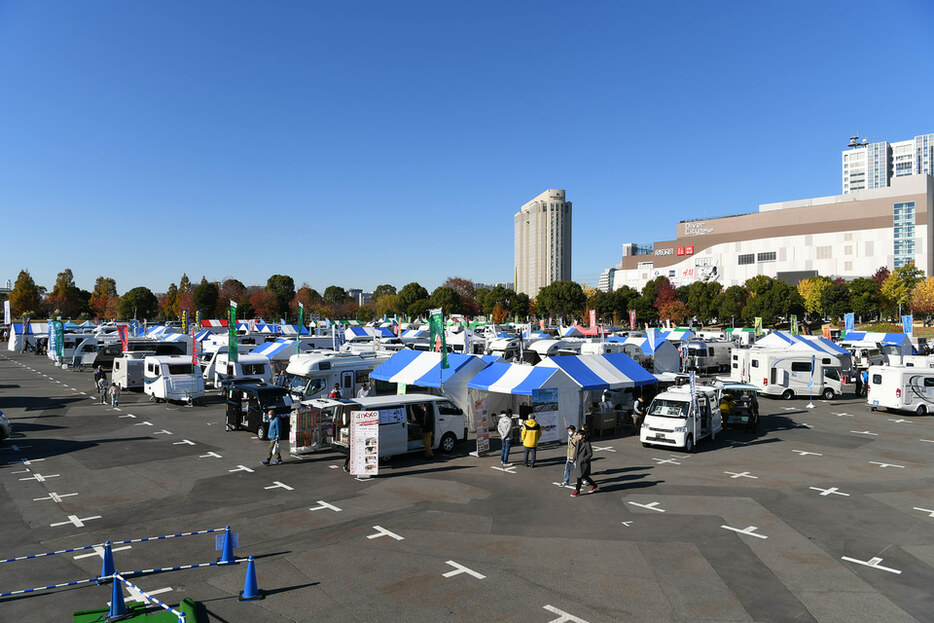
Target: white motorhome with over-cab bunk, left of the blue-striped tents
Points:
(313, 375)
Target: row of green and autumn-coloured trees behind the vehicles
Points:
(884, 294)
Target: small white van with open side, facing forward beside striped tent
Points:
(673, 419)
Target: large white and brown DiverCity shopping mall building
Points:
(849, 235)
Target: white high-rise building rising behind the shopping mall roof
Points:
(874, 165)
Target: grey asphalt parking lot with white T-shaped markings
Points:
(823, 514)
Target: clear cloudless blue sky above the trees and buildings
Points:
(360, 143)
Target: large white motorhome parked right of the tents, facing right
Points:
(787, 373)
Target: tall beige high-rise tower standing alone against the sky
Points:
(543, 242)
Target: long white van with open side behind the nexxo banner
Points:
(400, 423)
